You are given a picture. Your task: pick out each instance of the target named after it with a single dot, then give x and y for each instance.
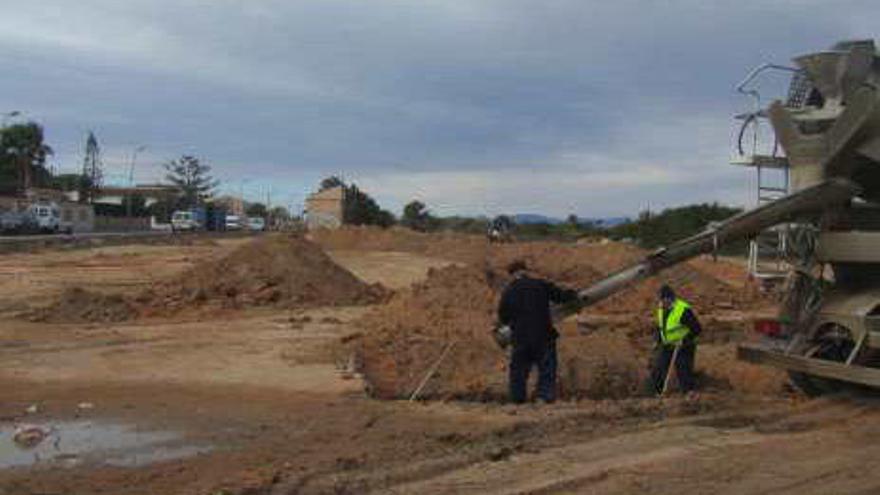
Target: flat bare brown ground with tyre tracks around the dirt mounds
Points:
(265, 400)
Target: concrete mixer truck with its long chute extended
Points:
(824, 214)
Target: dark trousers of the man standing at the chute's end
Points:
(522, 359)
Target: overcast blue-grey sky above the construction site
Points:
(597, 108)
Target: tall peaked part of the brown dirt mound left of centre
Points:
(279, 271)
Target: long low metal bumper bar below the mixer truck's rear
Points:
(851, 373)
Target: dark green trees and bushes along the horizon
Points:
(24, 153)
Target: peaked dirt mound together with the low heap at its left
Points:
(278, 271)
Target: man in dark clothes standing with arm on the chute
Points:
(525, 308)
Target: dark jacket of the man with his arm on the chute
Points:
(525, 307)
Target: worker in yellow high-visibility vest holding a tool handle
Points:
(677, 326)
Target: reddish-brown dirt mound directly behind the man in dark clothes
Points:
(450, 315)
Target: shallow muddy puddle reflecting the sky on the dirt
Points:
(71, 443)
